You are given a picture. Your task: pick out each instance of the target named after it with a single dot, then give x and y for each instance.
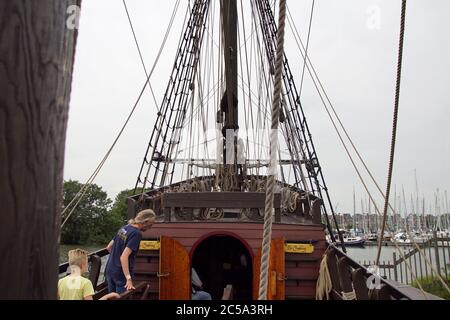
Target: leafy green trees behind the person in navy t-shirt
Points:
(96, 218)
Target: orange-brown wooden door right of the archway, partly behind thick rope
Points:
(276, 285)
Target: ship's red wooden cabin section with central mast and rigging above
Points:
(212, 218)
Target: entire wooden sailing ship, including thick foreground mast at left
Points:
(211, 219)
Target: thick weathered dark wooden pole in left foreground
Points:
(37, 46)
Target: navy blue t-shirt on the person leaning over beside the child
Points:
(127, 236)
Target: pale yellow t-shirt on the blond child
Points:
(74, 288)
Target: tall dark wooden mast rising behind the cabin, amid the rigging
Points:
(229, 103)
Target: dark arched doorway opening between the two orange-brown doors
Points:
(221, 260)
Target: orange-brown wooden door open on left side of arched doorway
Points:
(174, 271)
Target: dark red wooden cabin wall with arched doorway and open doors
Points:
(229, 253)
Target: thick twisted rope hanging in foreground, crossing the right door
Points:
(265, 254)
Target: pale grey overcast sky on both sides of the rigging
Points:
(355, 58)
